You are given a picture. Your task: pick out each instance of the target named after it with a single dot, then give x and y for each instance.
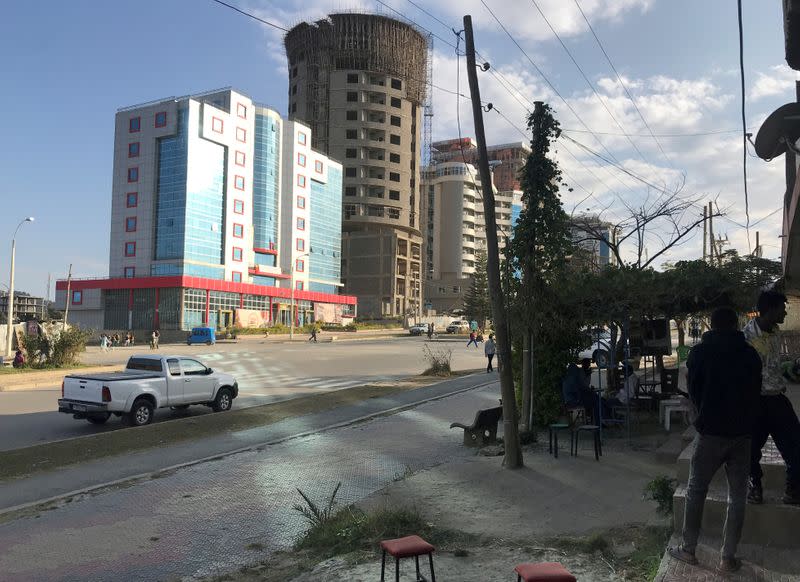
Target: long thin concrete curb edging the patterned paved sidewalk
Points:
(258, 446)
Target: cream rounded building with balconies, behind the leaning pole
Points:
(455, 231)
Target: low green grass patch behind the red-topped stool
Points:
(352, 530)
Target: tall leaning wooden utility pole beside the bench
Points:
(513, 452)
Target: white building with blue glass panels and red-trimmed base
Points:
(219, 206)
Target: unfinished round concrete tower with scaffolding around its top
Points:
(358, 80)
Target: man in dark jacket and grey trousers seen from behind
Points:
(724, 383)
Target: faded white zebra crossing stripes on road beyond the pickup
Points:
(256, 374)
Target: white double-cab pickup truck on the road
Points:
(147, 383)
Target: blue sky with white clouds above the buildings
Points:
(68, 66)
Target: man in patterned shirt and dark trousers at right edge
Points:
(777, 417)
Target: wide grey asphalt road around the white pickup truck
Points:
(266, 371)
